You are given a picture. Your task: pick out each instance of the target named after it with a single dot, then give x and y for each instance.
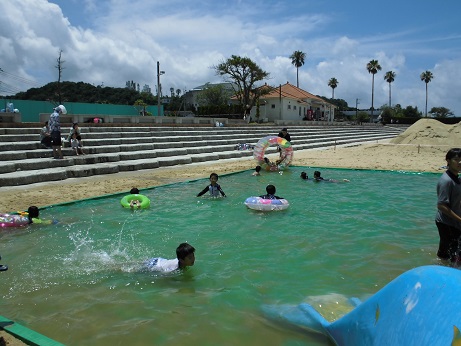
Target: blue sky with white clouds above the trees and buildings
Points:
(110, 42)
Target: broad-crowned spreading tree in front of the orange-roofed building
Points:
(243, 74)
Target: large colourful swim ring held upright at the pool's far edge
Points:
(287, 152)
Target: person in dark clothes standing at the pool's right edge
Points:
(448, 218)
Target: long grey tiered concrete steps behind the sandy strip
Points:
(117, 149)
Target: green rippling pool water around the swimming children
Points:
(79, 282)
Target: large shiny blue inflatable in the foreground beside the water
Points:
(420, 307)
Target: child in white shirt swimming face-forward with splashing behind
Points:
(185, 257)
